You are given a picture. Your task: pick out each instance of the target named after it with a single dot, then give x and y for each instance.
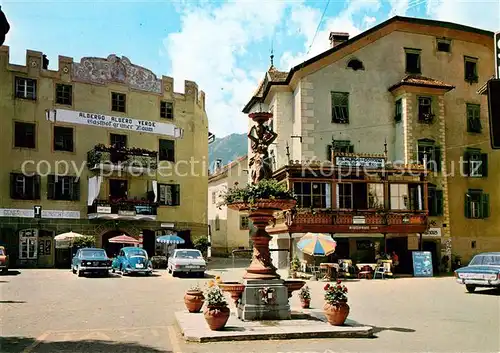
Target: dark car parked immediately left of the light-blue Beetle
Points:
(90, 260)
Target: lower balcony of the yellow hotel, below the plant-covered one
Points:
(124, 209)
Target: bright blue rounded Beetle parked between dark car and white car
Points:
(132, 260)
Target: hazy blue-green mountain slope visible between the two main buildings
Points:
(227, 148)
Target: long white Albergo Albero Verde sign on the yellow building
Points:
(114, 122)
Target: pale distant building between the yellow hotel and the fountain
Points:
(229, 229)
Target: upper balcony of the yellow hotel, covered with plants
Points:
(132, 160)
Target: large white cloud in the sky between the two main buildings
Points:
(207, 50)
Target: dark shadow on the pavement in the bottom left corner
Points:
(20, 344)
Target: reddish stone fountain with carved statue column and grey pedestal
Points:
(262, 295)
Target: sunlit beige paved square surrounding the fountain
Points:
(55, 311)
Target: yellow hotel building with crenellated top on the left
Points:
(100, 147)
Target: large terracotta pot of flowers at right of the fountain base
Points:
(336, 308)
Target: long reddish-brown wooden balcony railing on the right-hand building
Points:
(360, 221)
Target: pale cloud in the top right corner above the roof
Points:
(483, 14)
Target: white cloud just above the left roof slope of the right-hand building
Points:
(306, 20)
